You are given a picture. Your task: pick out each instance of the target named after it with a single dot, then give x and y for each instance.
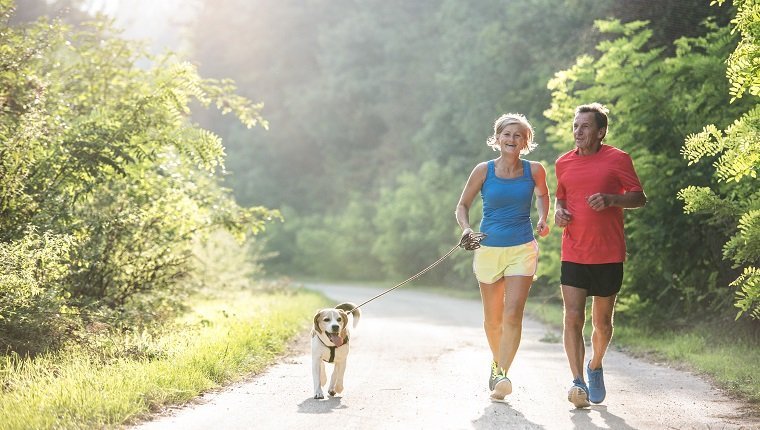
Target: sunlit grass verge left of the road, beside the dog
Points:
(224, 339)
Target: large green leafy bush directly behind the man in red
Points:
(655, 99)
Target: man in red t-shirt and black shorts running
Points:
(595, 182)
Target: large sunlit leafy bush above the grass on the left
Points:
(101, 153)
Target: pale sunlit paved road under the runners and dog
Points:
(420, 361)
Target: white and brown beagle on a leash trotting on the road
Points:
(329, 343)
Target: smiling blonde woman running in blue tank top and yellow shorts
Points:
(506, 262)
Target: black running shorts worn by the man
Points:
(598, 279)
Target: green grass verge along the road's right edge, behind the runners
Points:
(729, 358)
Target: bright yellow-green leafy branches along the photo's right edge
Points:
(737, 202)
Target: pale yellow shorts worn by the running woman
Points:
(491, 263)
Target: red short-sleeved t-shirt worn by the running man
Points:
(594, 237)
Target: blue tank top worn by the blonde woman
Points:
(506, 208)
